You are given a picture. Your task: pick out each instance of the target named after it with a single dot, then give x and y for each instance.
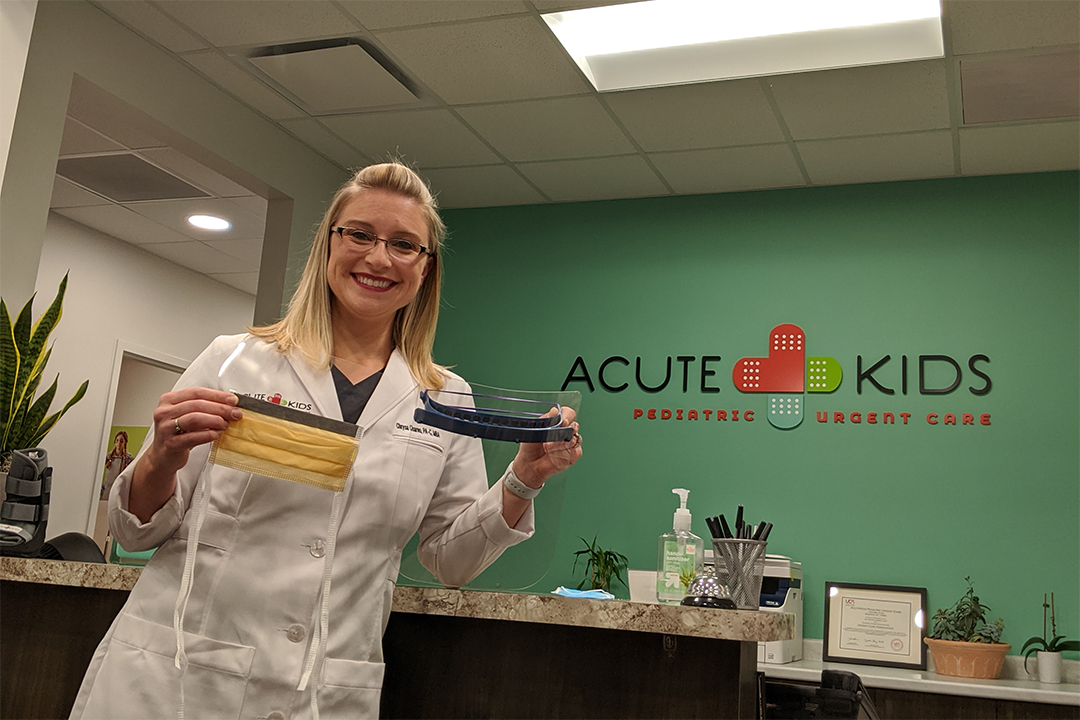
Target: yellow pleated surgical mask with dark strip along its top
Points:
(289, 445)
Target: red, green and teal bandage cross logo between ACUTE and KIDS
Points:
(787, 375)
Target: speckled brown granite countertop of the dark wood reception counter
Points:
(548, 609)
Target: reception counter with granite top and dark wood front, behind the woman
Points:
(450, 654)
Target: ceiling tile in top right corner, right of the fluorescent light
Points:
(984, 26)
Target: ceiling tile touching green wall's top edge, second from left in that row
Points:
(598, 179)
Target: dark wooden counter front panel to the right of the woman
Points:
(464, 668)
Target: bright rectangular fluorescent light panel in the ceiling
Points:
(670, 43)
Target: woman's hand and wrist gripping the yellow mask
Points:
(184, 420)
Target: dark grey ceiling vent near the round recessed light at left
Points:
(126, 179)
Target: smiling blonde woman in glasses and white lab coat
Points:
(291, 587)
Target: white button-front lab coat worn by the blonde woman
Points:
(259, 578)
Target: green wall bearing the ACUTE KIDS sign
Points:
(955, 267)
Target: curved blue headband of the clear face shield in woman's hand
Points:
(515, 426)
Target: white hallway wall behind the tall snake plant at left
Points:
(116, 292)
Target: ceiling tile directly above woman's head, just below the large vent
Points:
(431, 139)
